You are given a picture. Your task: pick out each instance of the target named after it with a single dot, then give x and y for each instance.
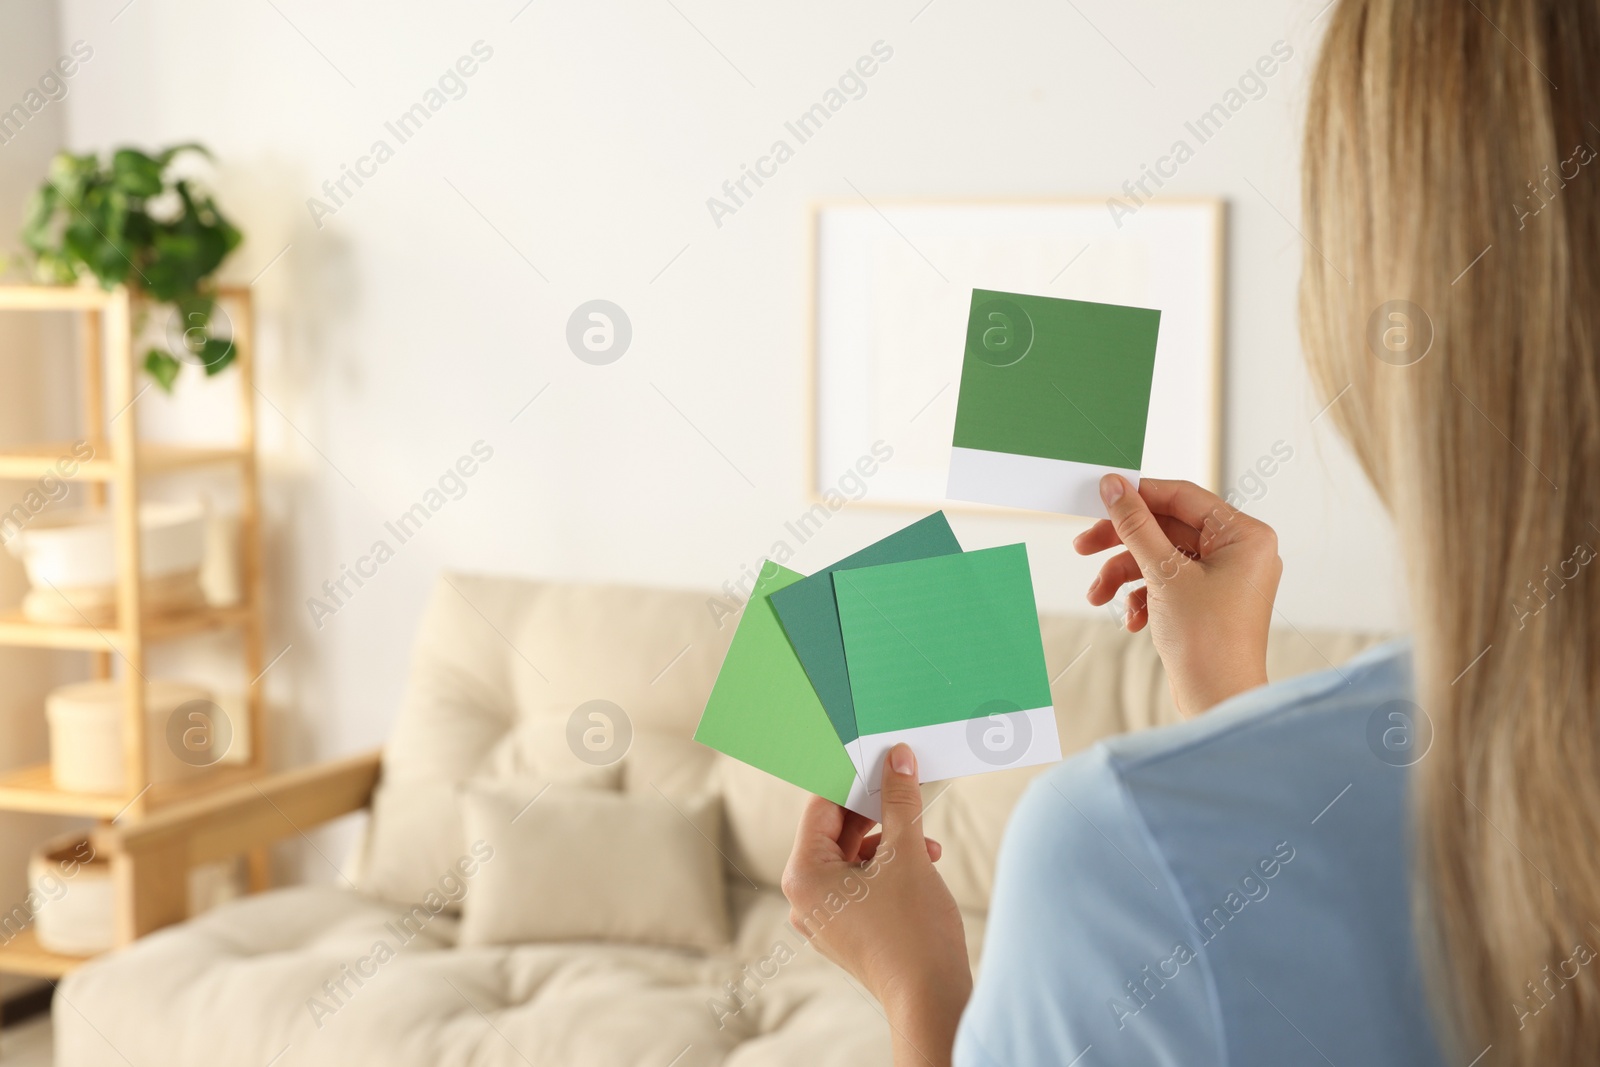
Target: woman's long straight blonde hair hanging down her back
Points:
(1450, 311)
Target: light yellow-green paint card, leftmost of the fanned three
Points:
(762, 709)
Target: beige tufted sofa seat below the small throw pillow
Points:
(276, 977)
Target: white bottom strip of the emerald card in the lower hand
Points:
(969, 746)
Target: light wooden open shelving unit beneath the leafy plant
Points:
(116, 474)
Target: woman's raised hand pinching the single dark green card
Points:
(1210, 577)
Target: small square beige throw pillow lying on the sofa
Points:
(583, 865)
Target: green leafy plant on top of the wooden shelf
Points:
(132, 222)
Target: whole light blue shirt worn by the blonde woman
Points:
(1228, 892)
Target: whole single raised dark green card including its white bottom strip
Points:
(1055, 394)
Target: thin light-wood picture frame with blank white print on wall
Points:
(892, 289)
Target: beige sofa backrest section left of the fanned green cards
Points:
(500, 673)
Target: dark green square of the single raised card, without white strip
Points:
(1062, 380)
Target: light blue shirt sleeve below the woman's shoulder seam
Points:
(1089, 956)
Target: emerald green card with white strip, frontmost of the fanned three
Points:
(945, 655)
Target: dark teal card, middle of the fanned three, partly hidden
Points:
(810, 617)
